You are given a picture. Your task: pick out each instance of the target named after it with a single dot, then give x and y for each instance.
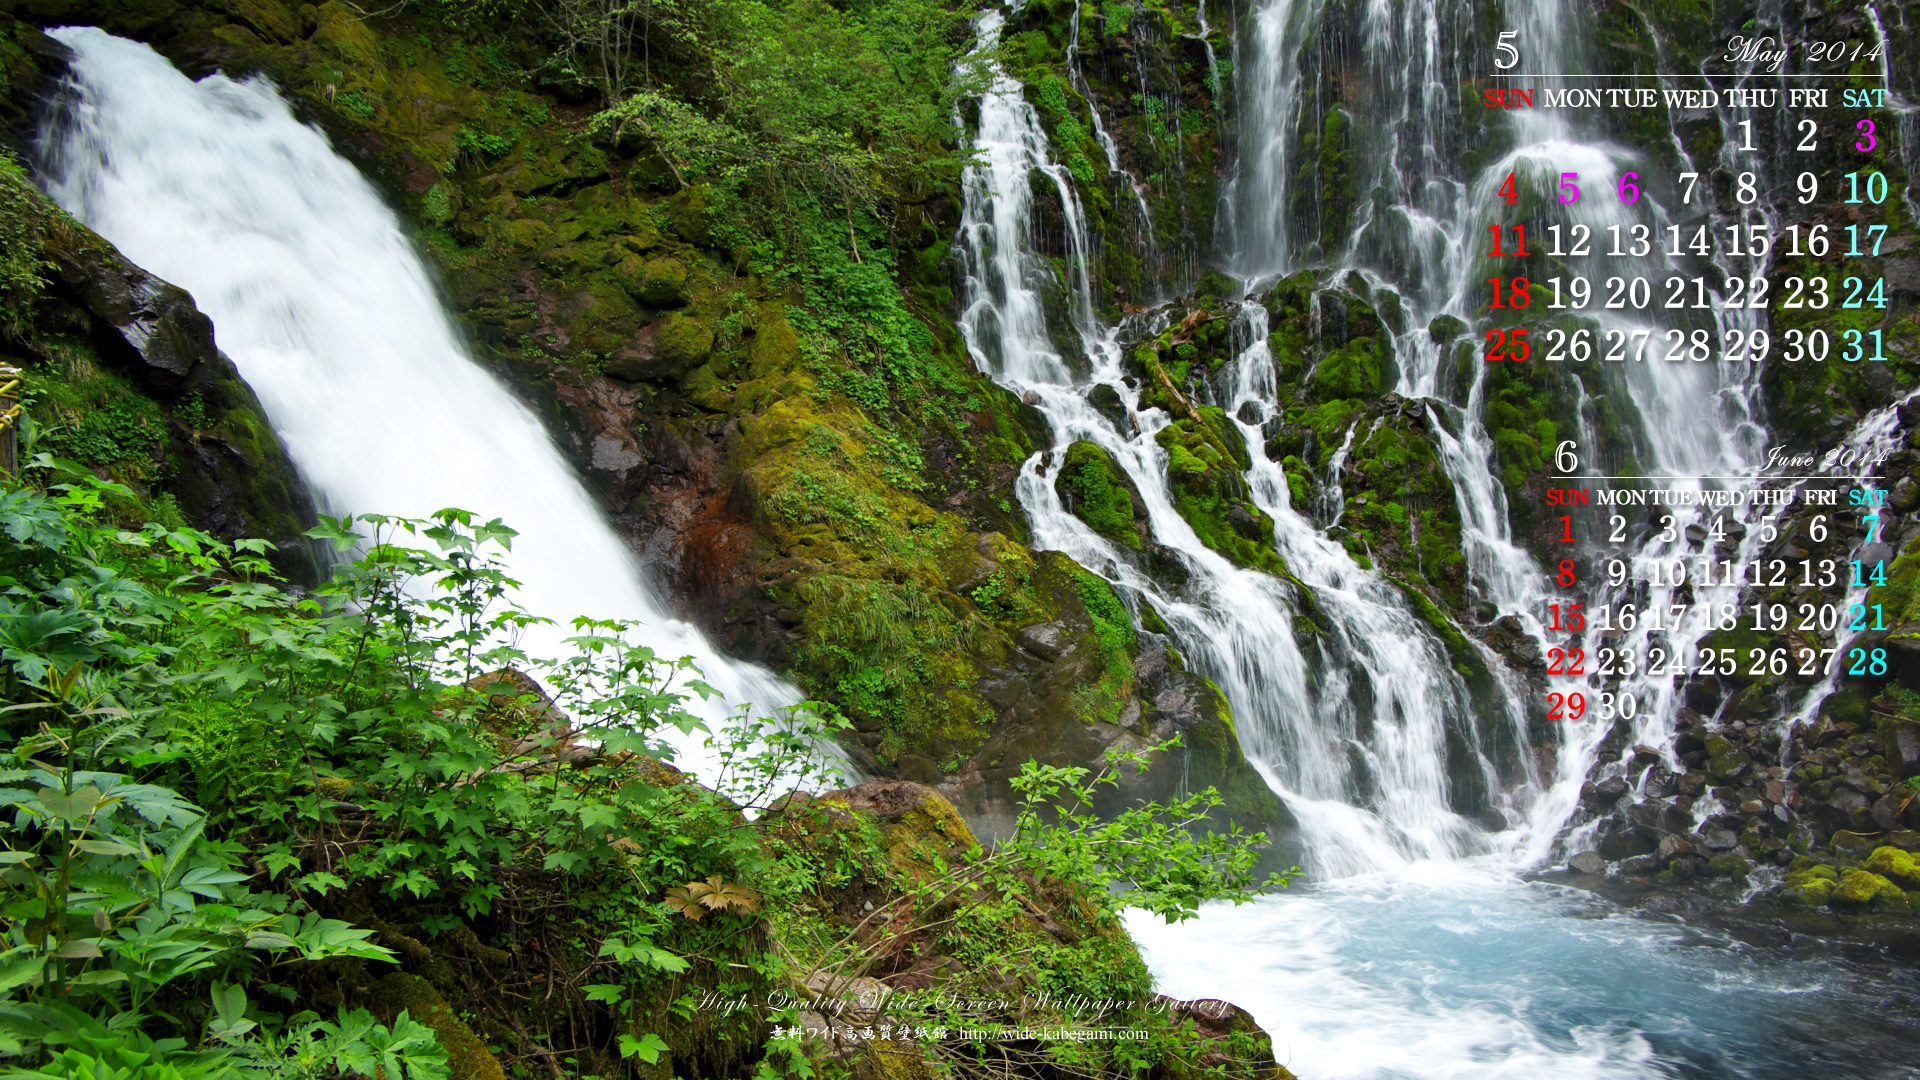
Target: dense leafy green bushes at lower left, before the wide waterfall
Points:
(147, 662)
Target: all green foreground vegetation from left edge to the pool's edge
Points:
(233, 806)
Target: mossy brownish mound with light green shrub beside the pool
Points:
(996, 912)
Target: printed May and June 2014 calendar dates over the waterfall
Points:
(1775, 255)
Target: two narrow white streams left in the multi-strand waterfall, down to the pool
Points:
(1351, 733)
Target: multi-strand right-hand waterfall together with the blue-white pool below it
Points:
(1420, 950)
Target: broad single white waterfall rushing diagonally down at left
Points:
(329, 314)
